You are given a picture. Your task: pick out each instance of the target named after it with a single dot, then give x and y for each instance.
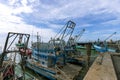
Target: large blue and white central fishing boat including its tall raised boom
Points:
(50, 59)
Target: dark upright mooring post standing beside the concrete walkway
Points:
(88, 50)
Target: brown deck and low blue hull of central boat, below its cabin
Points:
(67, 72)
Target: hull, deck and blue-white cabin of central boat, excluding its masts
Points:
(52, 65)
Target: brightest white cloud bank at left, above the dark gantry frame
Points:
(12, 23)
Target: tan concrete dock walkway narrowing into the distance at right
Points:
(105, 71)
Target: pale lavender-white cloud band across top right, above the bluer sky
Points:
(78, 8)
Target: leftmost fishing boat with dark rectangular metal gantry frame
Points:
(10, 68)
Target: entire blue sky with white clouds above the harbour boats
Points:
(99, 18)
